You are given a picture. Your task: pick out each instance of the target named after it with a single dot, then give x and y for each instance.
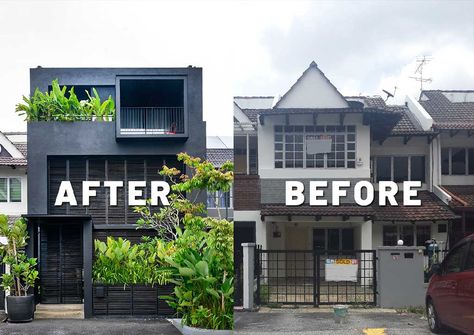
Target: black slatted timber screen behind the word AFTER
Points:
(77, 169)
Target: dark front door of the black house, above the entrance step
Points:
(61, 264)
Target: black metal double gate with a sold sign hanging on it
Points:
(298, 277)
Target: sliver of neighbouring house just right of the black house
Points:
(220, 150)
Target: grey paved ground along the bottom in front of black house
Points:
(89, 327)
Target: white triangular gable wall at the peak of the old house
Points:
(312, 90)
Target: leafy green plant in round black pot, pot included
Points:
(22, 274)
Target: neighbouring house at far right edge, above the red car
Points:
(452, 113)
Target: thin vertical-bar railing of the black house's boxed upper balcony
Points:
(151, 120)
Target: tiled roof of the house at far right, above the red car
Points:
(447, 114)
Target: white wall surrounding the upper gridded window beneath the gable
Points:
(266, 140)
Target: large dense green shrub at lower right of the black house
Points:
(204, 276)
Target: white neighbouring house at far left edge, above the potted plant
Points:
(13, 174)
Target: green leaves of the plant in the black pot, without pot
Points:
(23, 273)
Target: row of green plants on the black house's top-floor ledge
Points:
(57, 105)
